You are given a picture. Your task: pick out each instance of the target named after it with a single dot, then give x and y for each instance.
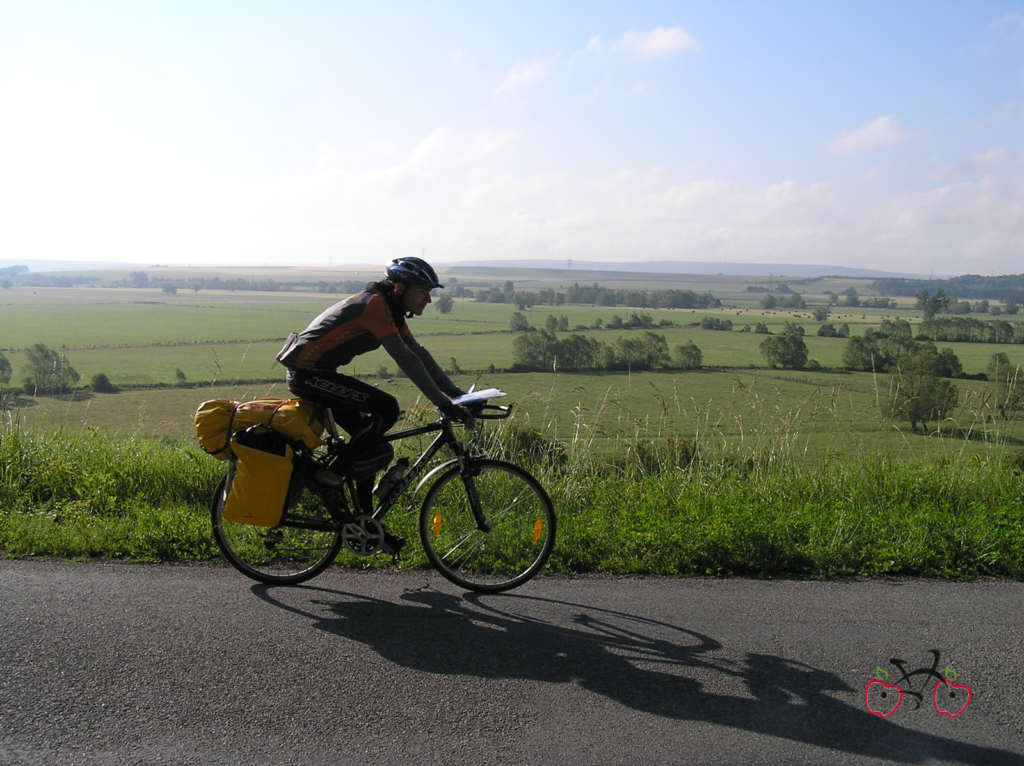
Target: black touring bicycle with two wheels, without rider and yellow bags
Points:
(486, 525)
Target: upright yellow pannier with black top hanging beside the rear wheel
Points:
(261, 477)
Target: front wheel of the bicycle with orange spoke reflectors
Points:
(502, 546)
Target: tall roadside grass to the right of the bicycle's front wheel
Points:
(769, 503)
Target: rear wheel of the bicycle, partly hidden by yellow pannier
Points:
(279, 556)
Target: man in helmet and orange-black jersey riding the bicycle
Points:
(363, 323)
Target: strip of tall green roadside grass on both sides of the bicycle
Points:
(663, 500)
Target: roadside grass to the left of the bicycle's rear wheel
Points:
(89, 494)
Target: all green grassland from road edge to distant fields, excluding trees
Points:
(735, 469)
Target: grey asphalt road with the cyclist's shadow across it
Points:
(115, 664)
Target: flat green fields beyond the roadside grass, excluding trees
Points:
(142, 339)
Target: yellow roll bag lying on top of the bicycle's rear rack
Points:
(218, 420)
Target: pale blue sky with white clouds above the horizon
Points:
(885, 136)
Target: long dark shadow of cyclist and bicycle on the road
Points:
(648, 665)
